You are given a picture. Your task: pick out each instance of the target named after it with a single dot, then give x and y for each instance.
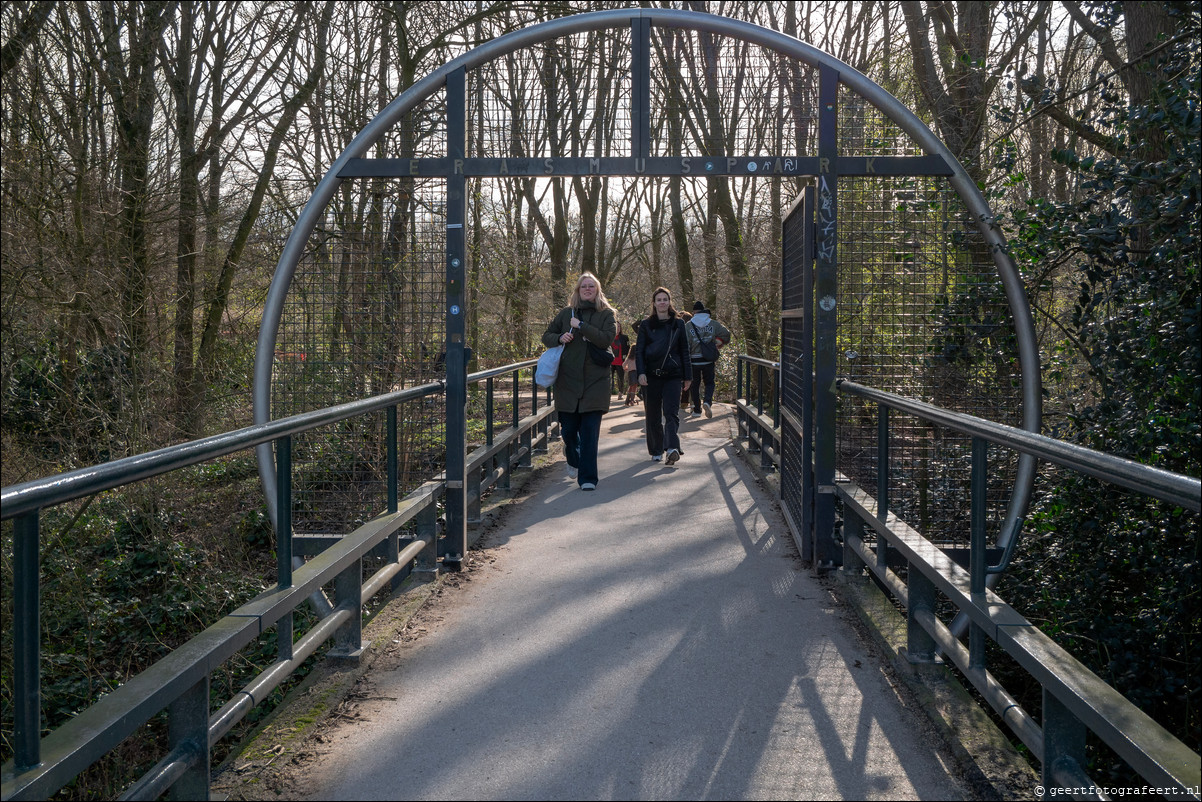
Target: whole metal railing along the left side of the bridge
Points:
(180, 682)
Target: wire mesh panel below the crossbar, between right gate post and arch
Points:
(924, 316)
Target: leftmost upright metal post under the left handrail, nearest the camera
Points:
(27, 635)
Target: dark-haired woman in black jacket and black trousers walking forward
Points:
(662, 354)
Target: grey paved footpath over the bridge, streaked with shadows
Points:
(656, 639)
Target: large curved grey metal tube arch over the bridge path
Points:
(1016, 295)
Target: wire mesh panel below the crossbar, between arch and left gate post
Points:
(365, 316)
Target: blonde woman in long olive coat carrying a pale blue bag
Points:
(582, 387)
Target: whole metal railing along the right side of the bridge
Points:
(1075, 700)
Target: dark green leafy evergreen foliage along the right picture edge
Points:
(1115, 573)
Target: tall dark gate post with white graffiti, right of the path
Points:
(826, 320)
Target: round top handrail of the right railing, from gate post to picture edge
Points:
(1167, 486)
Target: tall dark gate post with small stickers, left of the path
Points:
(456, 543)
